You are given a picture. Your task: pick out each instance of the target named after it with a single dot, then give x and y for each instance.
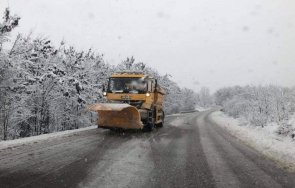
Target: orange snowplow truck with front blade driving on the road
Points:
(135, 101)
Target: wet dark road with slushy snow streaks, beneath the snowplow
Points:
(189, 151)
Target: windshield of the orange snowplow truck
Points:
(127, 85)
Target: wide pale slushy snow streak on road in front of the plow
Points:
(126, 165)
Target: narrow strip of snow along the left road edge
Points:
(27, 140)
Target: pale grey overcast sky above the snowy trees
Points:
(209, 43)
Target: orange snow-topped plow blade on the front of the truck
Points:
(112, 116)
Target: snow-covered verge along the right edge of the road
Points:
(265, 140)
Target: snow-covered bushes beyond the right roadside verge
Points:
(260, 105)
